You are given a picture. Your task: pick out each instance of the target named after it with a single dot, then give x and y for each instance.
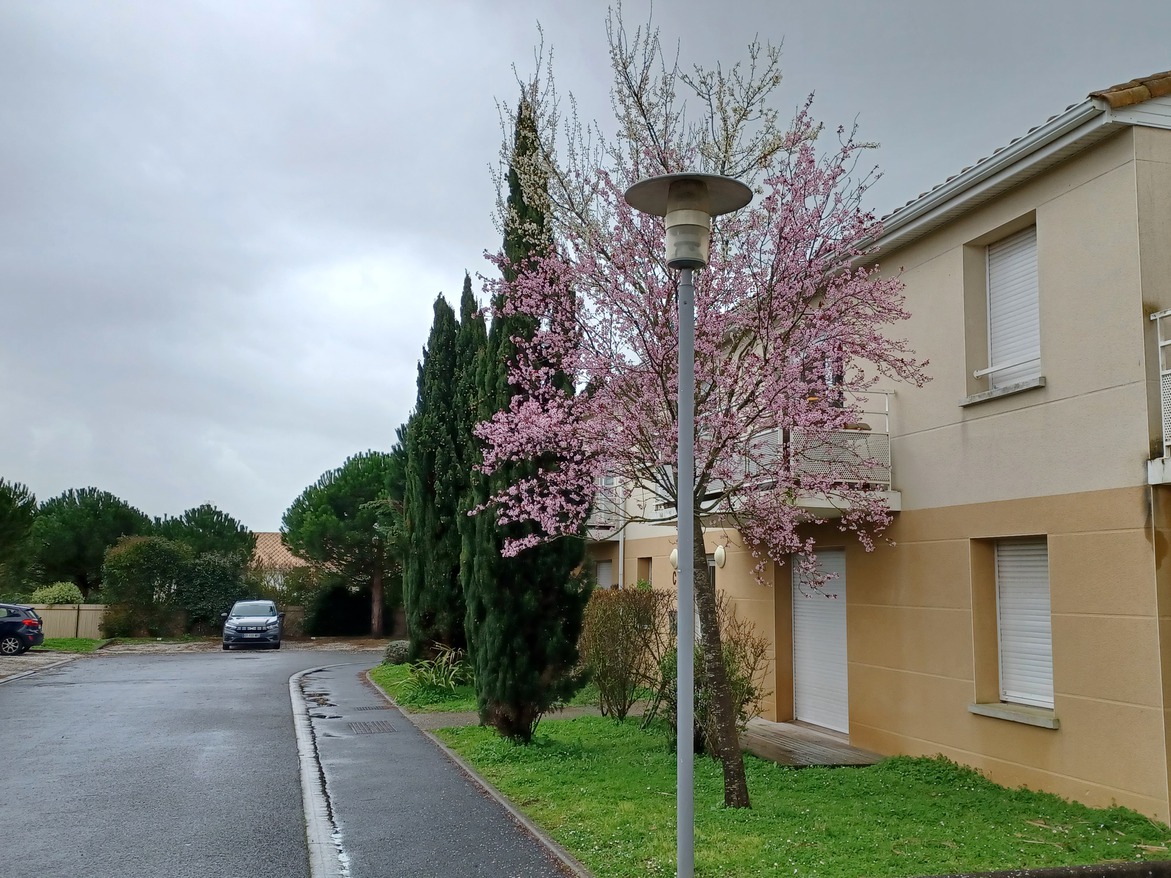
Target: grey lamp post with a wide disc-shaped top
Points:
(688, 202)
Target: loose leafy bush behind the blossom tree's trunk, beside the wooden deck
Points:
(745, 661)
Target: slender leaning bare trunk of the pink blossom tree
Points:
(724, 715)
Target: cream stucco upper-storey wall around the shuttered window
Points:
(1090, 428)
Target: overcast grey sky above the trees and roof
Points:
(223, 225)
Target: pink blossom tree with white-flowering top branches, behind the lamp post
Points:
(792, 324)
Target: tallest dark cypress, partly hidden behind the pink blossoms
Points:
(524, 613)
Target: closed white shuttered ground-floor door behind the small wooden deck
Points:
(820, 694)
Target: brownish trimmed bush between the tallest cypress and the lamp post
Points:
(618, 633)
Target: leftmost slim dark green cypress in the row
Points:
(433, 497)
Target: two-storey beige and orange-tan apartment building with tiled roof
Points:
(1019, 619)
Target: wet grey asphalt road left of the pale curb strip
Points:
(155, 766)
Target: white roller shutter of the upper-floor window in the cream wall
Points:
(1015, 326)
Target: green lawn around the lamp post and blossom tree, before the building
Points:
(606, 792)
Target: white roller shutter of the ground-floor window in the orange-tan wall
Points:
(1024, 621)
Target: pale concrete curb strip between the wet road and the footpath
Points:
(323, 833)
